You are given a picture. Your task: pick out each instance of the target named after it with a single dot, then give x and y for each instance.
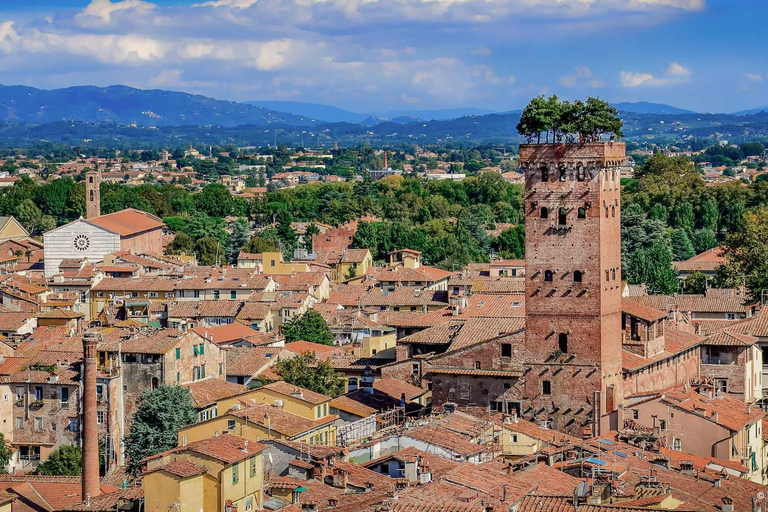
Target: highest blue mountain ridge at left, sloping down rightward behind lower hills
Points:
(126, 105)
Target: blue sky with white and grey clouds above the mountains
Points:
(378, 55)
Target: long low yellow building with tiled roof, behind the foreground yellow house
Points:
(257, 421)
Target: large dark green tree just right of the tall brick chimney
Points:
(160, 414)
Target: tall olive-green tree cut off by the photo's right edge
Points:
(746, 253)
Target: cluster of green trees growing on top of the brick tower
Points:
(569, 122)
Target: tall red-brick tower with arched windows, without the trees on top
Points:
(572, 350)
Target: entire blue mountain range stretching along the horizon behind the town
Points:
(120, 115)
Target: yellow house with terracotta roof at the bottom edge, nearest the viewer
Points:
(215, 474)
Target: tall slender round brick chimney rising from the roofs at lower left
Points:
(91, 485)
